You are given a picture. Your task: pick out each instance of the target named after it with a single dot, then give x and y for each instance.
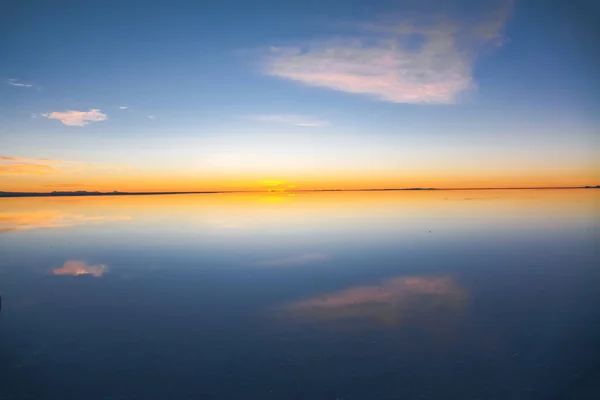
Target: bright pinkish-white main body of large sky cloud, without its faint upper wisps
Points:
(383, 72)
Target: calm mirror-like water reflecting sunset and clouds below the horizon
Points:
(373, 295)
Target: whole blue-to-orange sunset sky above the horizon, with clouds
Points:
(286, 95)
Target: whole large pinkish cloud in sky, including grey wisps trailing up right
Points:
(429, 61)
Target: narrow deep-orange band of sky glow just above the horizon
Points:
(177, 183)
